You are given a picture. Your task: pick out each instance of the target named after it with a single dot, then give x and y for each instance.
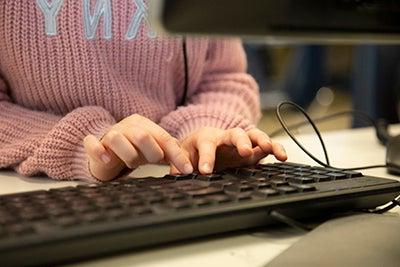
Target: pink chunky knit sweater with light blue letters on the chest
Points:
(62, 79)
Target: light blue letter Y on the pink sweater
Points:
(50, 12)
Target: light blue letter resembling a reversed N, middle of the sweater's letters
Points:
(102, 8)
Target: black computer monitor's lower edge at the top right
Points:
(315, 21)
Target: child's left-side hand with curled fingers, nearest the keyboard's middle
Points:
(130, 143)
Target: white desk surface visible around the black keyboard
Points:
(348, 148)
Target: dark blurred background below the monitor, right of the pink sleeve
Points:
(325, 79)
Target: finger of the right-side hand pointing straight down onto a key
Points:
(206, 150)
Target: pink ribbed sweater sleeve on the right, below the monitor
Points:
(226, 96)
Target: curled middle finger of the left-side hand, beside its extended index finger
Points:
(146, 144)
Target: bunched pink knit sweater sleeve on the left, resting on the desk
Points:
(34, 143)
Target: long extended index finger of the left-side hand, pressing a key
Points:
(170, 146)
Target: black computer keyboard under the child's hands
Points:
(74, 223)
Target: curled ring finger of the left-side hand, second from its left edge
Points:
(121, 146)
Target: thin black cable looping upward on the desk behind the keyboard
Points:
(287, 130)
